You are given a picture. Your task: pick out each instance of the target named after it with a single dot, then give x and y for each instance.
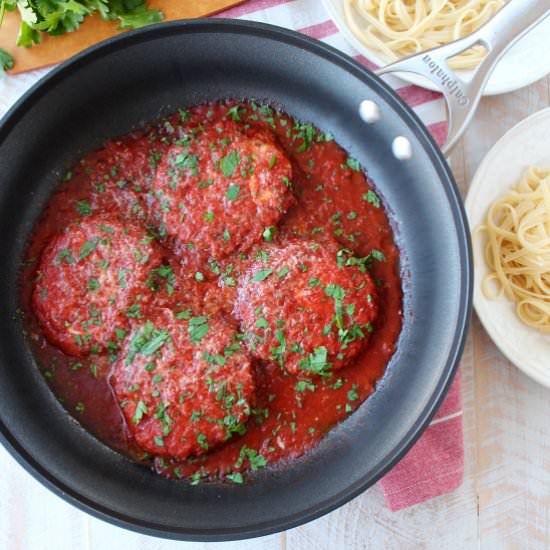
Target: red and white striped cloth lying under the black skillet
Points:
(435, 464)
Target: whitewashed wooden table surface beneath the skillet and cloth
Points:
(503, 503)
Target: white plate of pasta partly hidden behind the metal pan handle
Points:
(526, 62)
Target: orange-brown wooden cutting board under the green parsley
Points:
(94, 29)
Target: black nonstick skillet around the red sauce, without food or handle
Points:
(132, 79)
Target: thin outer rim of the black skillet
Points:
(460, 223)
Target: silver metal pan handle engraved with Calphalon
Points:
(497, 35)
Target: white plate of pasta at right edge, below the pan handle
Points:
(525, 145)
